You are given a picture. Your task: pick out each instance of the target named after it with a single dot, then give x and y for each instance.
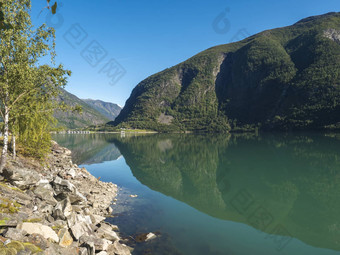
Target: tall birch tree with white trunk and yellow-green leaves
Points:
(23, 82)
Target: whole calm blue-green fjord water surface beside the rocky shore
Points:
(221, 194)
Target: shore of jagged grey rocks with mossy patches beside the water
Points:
(57, 208)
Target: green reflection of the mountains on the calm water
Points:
(285, 185)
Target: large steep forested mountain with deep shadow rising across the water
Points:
(285, 78)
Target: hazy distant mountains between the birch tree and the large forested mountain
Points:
(94, 112)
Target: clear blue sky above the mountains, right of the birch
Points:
(112, 45)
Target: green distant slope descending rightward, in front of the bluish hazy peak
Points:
(88, 117)
